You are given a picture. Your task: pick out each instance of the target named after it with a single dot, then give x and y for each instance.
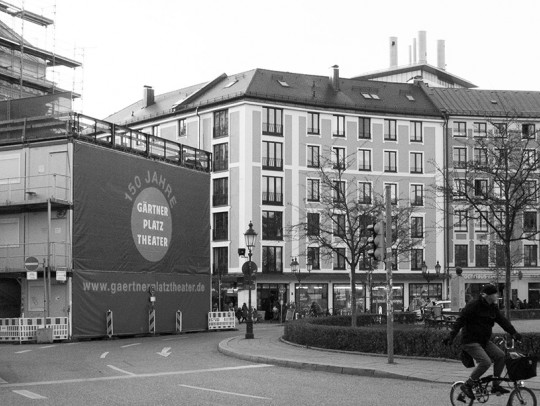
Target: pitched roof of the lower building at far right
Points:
(477, 102)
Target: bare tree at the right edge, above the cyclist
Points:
(497, 189)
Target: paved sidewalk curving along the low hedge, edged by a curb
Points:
(268, 348)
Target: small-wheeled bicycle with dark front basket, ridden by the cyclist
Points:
(518, 368)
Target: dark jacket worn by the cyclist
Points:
(477, 320)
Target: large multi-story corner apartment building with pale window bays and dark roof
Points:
(268, 132)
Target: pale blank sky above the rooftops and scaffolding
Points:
(169, 44)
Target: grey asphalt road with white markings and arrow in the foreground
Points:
(184, 370)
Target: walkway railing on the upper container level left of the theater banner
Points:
(37, 188)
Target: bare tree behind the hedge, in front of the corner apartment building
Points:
(336, 221)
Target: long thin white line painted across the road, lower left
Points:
(116, 377)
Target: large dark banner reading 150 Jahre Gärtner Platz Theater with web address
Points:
(139, 224)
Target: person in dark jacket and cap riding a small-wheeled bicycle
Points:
(477, 319)
